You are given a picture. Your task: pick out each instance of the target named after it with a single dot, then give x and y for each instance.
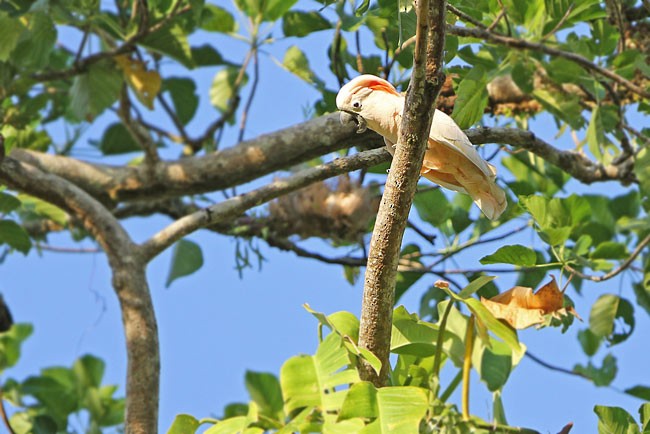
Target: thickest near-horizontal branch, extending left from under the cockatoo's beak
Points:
(245, 162)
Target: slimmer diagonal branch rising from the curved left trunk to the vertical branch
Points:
(234, 206)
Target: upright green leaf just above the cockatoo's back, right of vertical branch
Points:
(472, 98)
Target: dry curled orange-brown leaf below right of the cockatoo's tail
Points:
(521, 308)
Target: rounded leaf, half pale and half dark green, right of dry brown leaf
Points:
(604, 313)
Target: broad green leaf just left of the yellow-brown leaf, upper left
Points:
(91, 93)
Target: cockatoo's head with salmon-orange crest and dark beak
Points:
(359, 99)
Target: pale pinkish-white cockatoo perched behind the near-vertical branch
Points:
(450, 160)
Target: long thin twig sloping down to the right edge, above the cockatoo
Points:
(522, 44)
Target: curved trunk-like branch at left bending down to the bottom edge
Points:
(129, 281)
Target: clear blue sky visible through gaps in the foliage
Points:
(215, 325)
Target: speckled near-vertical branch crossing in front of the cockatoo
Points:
(379, 288)
